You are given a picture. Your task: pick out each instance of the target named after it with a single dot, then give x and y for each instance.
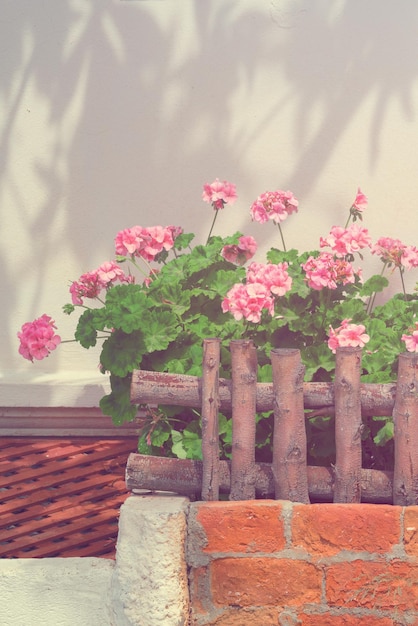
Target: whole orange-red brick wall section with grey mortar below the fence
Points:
(277, 563)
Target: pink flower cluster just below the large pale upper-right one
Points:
(327, 270)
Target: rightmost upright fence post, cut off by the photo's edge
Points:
(405, 419)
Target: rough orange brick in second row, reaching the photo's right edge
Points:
(373, 585)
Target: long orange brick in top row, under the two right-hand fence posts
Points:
(327, 529)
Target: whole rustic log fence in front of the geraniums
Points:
(288, 477)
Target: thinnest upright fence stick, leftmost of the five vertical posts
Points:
(210, 425)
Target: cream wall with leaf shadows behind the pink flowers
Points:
(116, 112)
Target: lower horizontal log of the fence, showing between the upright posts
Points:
(184, 476)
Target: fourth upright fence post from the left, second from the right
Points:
(348, 425)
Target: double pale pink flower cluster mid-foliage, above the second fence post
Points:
(263, 282)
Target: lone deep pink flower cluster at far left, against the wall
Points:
(38, 338)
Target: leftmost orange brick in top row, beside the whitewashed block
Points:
(250, 526)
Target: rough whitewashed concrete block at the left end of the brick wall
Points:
(150, 586)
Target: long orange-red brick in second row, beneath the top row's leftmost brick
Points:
(264, 582)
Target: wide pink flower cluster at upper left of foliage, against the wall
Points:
(145, 242)
